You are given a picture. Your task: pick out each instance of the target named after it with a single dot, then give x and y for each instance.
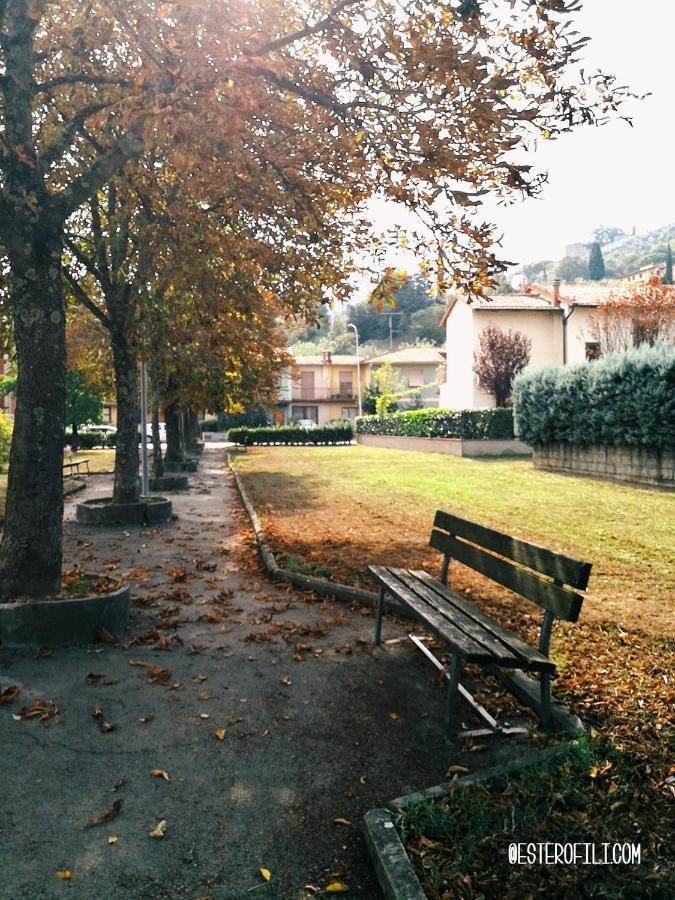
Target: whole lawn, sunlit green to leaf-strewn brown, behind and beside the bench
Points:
(345, 507)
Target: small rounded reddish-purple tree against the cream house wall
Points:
(501, 355)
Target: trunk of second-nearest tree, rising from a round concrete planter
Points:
(126, 489)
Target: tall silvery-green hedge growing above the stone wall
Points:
(623, 399)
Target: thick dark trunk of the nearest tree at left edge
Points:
(32, 541)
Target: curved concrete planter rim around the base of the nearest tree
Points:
(64, 623)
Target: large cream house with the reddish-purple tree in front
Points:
(557, 319)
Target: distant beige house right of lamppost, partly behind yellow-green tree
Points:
(420, 369)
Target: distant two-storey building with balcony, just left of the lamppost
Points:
(319, 388)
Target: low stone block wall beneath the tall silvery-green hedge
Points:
(637, 465)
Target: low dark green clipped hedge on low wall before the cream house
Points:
(470, 424)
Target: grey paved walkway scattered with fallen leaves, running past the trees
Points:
(276, 720)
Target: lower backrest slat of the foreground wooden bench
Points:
(565, 604)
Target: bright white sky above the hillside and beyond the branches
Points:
(614, 175)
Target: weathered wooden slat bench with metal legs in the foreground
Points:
(548, 579)
